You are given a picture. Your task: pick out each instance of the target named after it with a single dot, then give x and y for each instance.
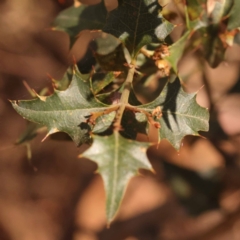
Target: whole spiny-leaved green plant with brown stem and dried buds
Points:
(131, 47)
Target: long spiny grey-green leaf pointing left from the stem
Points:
(67, 111)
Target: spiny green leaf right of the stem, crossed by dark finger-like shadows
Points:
(181, 115)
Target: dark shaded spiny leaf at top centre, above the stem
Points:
(137, 23)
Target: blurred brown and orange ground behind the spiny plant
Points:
(193, 194)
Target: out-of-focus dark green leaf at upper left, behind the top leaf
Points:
(75, 19)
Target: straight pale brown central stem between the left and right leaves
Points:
(124, 98)
